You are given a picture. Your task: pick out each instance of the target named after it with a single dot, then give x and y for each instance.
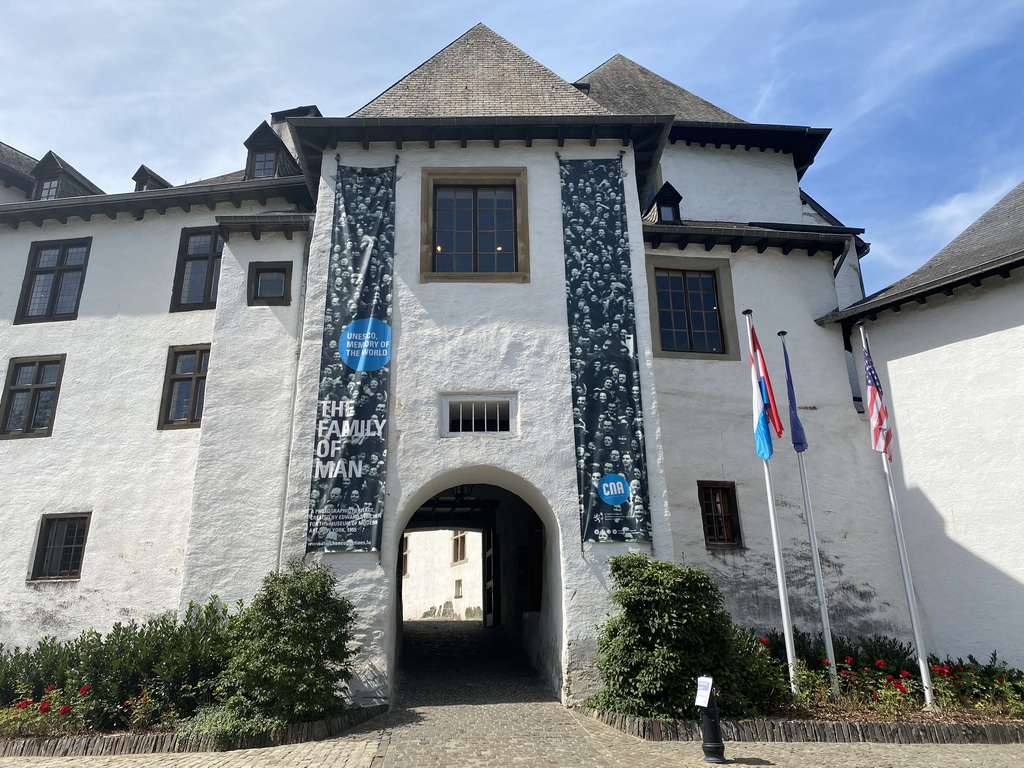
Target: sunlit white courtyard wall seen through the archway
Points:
(431, 582)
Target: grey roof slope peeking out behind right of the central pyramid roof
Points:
(625, 88)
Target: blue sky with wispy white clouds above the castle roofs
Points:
(925, 97)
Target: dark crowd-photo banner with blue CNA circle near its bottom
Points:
(612, 465)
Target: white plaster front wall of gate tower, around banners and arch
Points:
(453, 337)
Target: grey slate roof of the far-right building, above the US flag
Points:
(993, 245)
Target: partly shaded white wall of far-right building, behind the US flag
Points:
(952, 372)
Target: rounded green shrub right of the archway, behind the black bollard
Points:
(670, 630)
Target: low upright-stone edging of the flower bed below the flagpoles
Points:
(816, 731)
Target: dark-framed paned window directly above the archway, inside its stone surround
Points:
(475, 229)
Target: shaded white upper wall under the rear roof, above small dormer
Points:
(734, 186)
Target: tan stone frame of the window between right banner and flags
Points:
(727, 307)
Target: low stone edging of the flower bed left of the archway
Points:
(142, 744)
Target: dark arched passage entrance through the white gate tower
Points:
(520, 583)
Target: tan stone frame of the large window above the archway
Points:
(475, 178)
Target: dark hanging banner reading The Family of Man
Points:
(347, 497)
